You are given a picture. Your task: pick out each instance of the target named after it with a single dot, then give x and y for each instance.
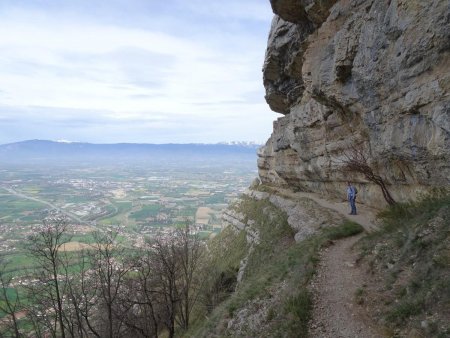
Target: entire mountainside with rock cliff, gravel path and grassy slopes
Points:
(351, 78)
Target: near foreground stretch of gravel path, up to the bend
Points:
(335, 286)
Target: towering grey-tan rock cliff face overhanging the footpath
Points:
(359, 73)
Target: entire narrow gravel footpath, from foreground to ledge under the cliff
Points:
(339, 279)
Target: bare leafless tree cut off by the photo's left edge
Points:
(9, 303)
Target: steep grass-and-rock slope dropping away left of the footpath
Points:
(261, 266)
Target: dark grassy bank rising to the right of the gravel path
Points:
(409, 259)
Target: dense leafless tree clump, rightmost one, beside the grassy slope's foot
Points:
(166, 284)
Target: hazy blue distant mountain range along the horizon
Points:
(42, 151)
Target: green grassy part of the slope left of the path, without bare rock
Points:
(273, 291)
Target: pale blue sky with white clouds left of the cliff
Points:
(145, 71)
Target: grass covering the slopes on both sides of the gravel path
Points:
(406, 263)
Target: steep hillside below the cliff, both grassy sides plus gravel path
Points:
(288, 267)
